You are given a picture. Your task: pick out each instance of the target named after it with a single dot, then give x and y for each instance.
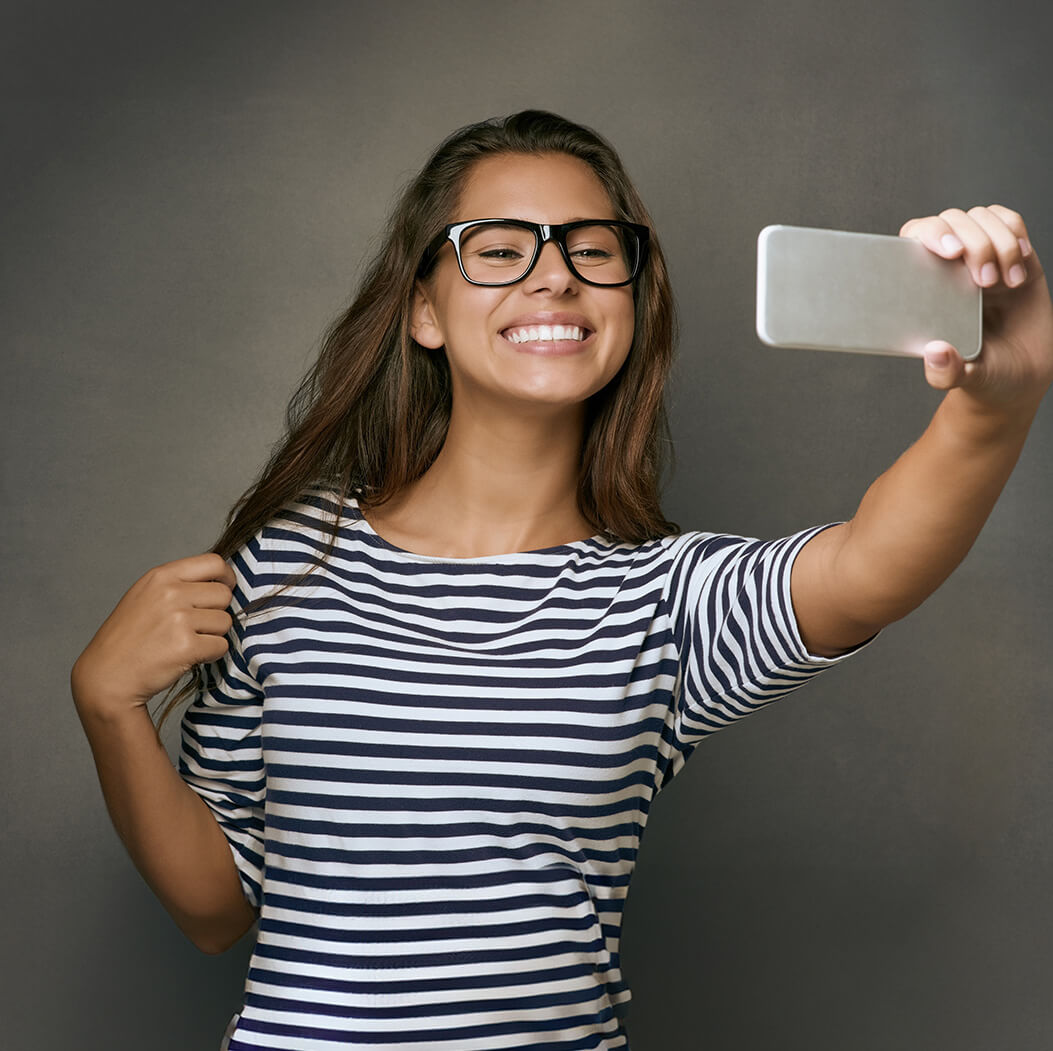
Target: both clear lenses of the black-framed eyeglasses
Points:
(499, 253)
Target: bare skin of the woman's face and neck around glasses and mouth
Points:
(506, 479)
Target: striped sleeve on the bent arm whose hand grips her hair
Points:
(222, 757)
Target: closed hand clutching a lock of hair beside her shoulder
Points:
(171, 619)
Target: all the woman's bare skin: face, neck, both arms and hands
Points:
(507, 479)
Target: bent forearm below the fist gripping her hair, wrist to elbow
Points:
(169, 831)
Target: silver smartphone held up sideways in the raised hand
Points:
(831, 290)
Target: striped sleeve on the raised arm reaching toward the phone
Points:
(737, 632)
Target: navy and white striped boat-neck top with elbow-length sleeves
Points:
(434, 774)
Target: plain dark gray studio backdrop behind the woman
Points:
(190, 192)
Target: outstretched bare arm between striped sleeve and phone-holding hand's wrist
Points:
(916, 524)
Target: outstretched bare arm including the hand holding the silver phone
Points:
(919, 520)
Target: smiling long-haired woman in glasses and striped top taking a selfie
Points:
(464, 647)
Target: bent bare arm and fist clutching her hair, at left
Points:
(172, 619)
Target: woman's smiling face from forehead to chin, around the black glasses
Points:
(476, 324)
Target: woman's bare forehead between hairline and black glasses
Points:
(542, 188)
